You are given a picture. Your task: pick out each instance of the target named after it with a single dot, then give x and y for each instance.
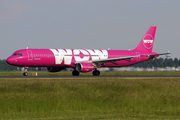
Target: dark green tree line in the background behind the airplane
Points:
(156, 62)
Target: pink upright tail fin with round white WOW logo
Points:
(147, 42)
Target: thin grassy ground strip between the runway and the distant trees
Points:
(115, 73)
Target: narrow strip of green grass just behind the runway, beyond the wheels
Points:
(62, 73)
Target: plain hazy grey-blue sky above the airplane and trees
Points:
(88, 24)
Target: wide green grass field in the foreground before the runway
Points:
(90, 98)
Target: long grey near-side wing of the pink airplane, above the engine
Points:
(112, 60)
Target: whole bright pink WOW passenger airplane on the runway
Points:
(85, 60)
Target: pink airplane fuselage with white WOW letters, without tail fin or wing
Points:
(68, 57)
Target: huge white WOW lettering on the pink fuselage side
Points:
(78, 55)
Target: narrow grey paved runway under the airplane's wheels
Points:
(101, 76)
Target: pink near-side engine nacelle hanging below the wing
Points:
(84, 67)
